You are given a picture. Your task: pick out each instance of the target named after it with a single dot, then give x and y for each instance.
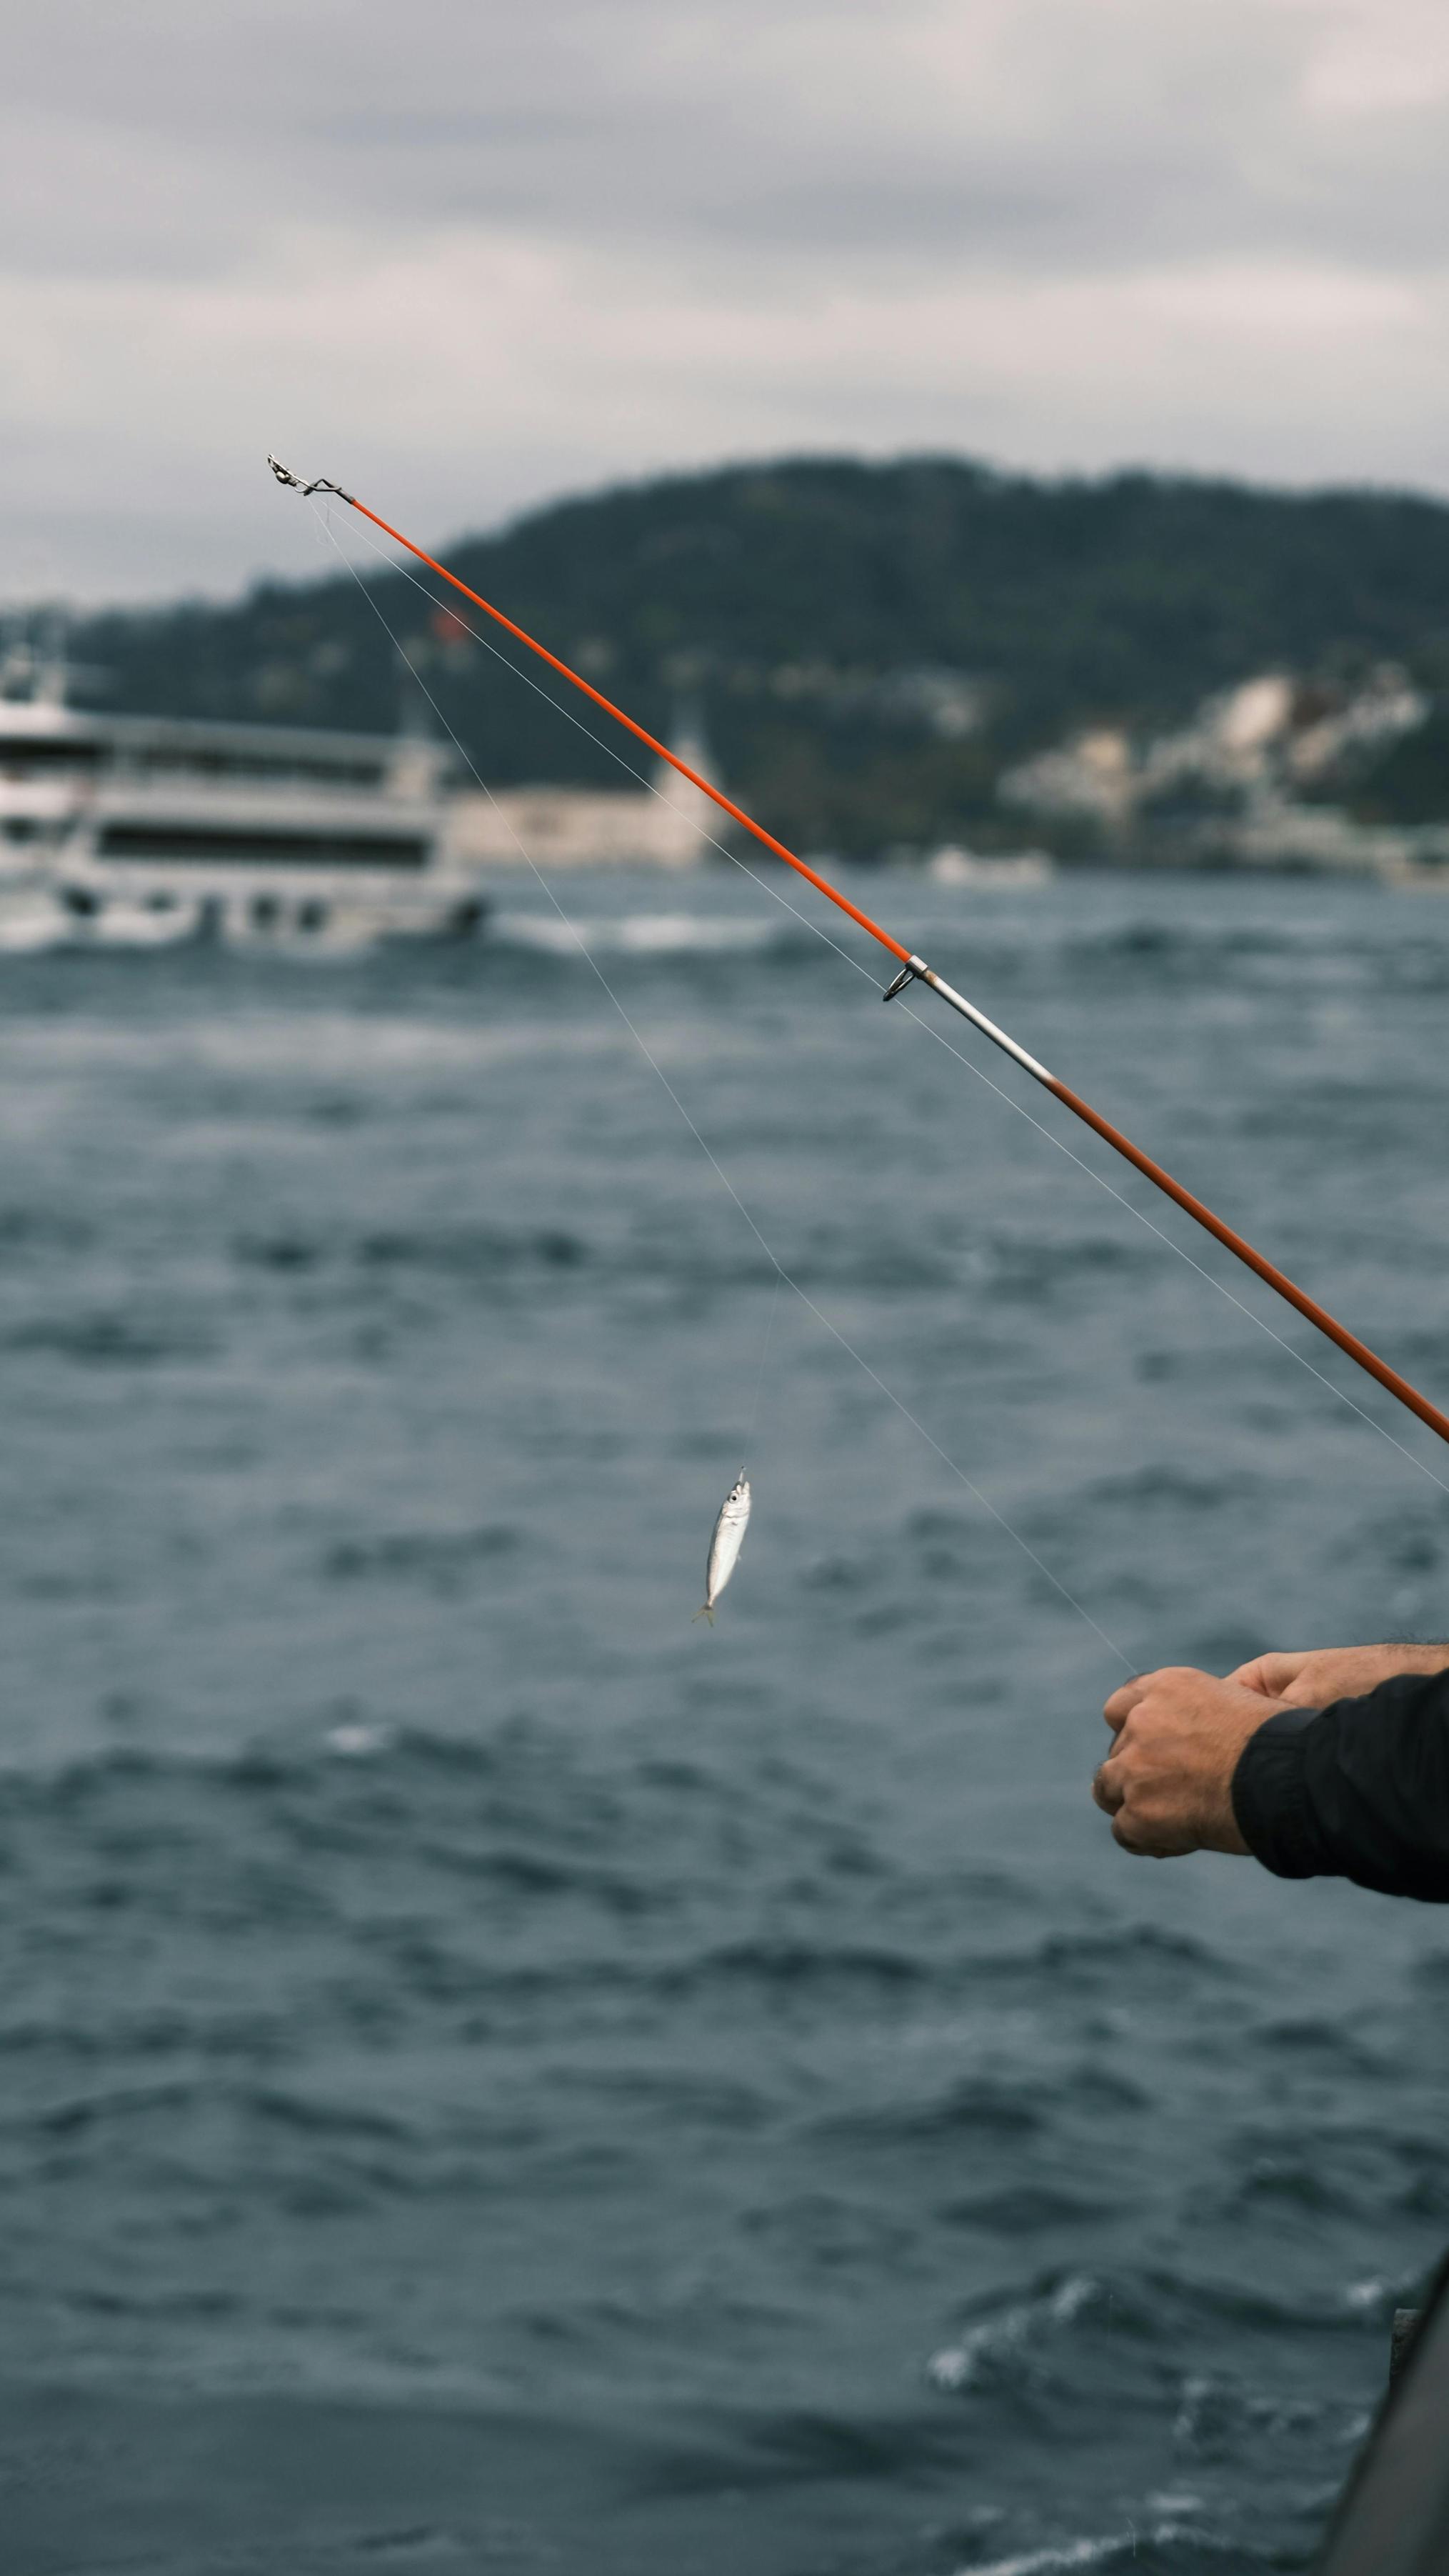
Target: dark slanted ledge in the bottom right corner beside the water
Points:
(1394, 2518)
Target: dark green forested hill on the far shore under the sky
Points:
(869, 645)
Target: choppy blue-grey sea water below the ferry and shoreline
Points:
(495, 2075)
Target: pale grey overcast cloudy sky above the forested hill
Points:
(472, 254)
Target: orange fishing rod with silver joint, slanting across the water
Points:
(915, 970)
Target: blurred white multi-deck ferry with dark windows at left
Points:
(143, 831)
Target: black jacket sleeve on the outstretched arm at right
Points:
(1355, 1792)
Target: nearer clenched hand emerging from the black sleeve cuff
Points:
(1167, 1781)
